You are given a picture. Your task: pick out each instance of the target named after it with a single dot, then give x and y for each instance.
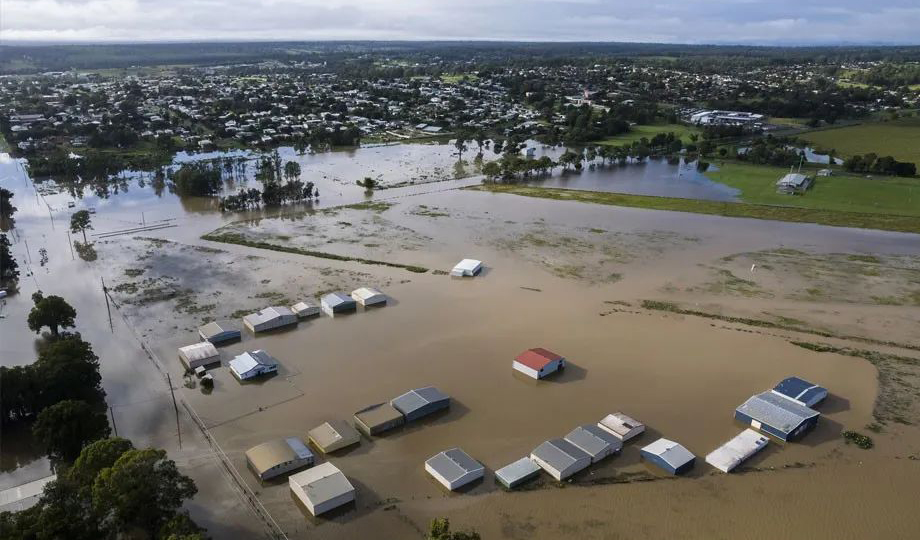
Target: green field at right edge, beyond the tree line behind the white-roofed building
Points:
(897, 138)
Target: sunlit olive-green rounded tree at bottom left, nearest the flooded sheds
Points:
(142, 490)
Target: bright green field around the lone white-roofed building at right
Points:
(843, 193)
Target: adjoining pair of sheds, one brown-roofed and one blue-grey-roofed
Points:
(408, 407)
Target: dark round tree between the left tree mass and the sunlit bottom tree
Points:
(67, 426)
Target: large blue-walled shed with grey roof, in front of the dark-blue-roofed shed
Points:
(777, 415)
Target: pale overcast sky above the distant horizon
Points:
(674, 21)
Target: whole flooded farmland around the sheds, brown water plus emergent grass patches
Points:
(571, 277)
